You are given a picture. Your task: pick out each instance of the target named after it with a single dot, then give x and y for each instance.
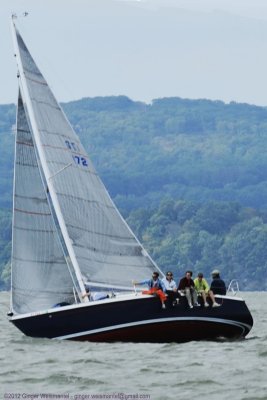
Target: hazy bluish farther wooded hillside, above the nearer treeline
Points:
(197, 150)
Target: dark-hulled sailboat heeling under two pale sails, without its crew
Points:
(67, 235)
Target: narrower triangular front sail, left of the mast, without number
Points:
(40, 276)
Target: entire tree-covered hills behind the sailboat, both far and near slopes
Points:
(188, 175)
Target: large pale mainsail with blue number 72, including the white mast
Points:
(102, 248)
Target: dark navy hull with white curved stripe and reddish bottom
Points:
(139, 319)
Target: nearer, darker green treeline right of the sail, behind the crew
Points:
(228, 237)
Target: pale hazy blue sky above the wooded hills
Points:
(146, 49)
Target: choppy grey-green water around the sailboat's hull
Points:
(33, 368)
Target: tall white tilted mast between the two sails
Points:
(49, 178)
